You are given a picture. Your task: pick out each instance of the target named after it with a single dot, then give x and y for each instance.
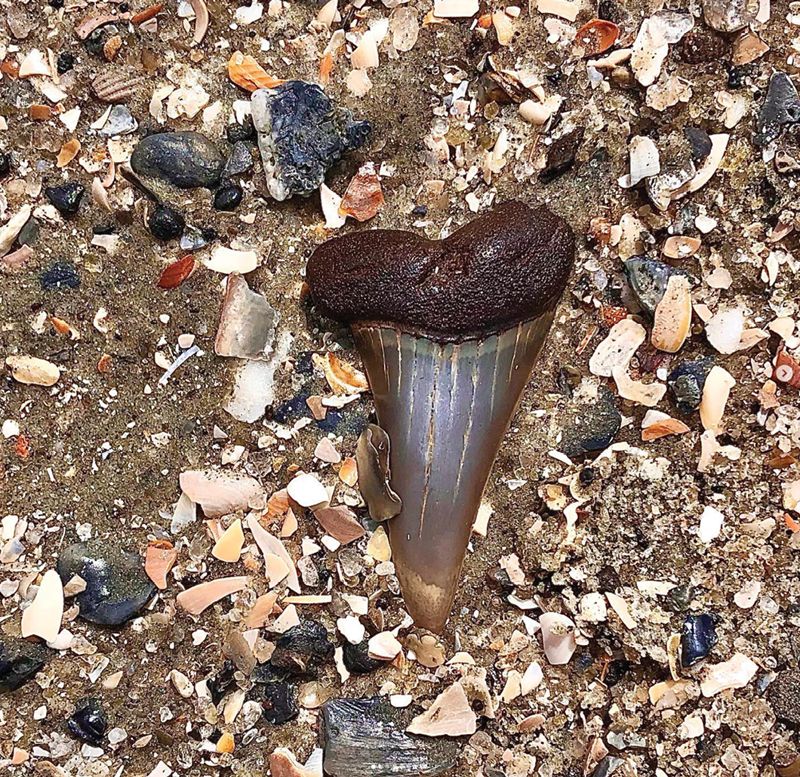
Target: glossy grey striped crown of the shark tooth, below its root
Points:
(445, 407)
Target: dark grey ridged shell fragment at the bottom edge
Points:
(367, 737)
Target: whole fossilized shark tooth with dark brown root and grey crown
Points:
(449, 332)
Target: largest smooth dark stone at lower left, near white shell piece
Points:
(117, 587)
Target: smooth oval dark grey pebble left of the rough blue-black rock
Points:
(187, 160)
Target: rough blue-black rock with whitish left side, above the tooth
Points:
(301, 135)
